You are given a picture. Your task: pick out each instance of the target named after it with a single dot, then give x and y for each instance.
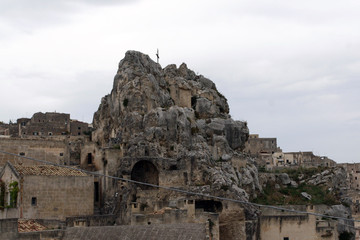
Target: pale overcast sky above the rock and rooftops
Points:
(289, 68)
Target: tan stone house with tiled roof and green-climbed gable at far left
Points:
(45, 192)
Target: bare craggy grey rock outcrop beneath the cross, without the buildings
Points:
(173, 113)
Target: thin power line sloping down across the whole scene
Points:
(185, 191)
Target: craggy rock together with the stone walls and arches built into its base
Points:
(171, 127)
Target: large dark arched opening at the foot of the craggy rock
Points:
(145, 171)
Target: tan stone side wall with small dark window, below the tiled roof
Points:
(56, 197)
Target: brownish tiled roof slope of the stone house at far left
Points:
(47, 170)
